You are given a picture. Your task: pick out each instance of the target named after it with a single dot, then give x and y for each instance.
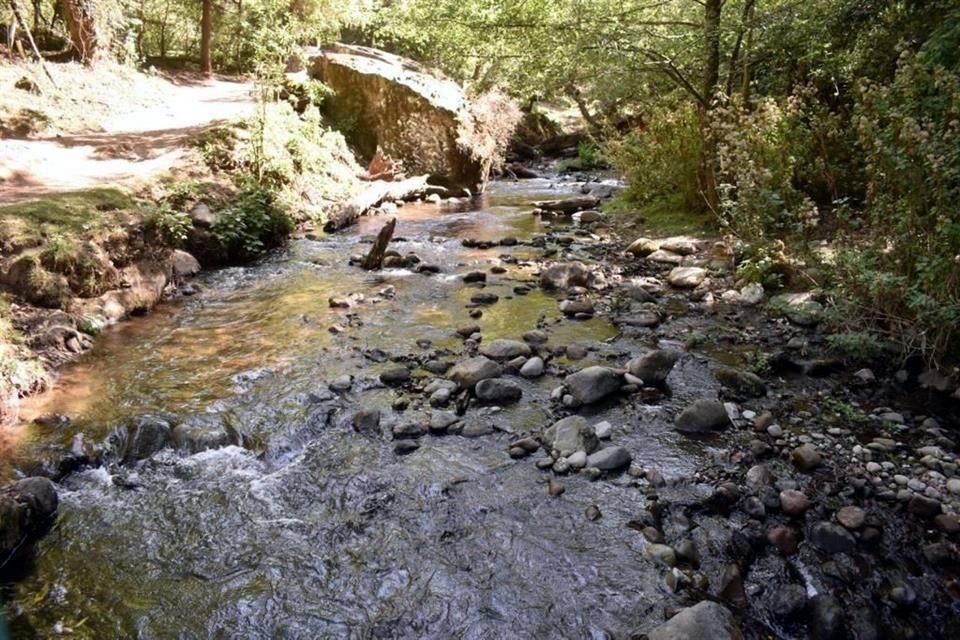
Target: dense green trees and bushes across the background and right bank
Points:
(822, 134)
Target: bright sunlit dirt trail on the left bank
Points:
(131, 148)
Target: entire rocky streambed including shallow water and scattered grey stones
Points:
(527, 425)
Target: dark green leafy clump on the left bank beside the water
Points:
(251, 224)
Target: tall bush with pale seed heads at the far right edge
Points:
(904, 276)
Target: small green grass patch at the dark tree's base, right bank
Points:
(662, 217)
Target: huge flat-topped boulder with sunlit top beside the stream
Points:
(382, 101)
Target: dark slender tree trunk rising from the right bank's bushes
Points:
(711, 78)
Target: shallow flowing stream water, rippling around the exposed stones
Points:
(312, 530)
